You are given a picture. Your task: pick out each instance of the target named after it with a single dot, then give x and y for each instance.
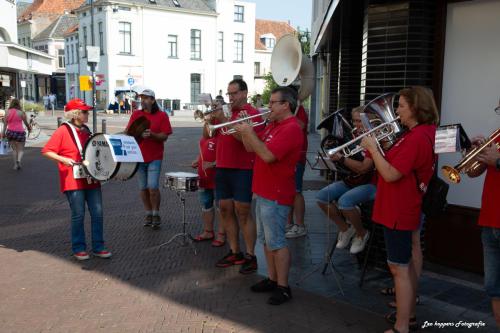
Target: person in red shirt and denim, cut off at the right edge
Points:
(489, 219)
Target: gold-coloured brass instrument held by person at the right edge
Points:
(469, 164)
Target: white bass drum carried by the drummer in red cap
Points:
(99, 163)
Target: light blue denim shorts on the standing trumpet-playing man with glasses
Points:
(271, 219)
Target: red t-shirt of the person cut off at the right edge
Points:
(490, 213)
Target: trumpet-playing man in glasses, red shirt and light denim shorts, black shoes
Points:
(278, 150)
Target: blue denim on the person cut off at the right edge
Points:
(491, 249)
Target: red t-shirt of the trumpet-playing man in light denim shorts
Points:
(276, 181)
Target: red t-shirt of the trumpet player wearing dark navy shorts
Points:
(230, 152)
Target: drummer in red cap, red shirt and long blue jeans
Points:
(64, 149)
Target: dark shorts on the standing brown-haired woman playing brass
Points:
(398, 244)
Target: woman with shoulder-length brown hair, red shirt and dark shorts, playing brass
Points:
(404, 173)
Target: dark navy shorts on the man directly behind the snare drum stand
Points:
(235, 184)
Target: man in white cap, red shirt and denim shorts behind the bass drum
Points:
(152, 147)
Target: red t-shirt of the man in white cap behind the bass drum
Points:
(151, 149)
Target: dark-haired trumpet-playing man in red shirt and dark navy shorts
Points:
(233, 182)
